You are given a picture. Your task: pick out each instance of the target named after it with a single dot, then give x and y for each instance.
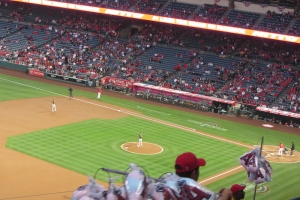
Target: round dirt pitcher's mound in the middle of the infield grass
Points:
(146, 149)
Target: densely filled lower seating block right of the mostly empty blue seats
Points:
(256, 84)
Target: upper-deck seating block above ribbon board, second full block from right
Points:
(240, 19)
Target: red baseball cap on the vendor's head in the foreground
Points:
(188, 162)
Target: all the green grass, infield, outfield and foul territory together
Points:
(88, 145)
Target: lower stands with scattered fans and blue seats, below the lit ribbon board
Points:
(87, 46)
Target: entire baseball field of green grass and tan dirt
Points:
(46, 155)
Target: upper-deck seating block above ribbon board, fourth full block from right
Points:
(178, 10)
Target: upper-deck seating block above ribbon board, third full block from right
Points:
(209, 13)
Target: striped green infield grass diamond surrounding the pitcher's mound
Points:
(84, 147)
